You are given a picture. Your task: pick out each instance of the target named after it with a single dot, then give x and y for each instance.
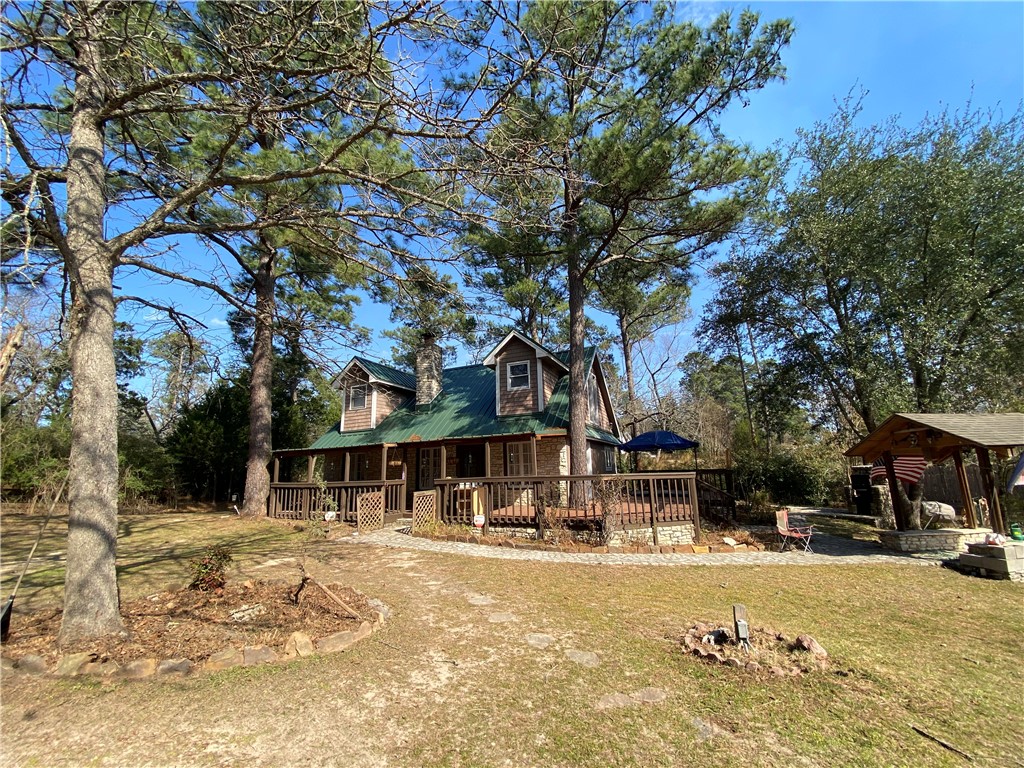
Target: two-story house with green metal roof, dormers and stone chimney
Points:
(505, 417)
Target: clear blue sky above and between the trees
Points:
(912, 59)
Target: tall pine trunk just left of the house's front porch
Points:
(258, 476)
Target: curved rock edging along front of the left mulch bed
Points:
(298, 646)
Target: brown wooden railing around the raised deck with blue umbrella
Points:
(605, 502)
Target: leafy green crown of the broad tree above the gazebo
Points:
(887, 271)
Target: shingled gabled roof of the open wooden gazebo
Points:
(937, 437)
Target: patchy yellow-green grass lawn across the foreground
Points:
(452, 680)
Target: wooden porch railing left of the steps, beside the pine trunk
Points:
(303, 501)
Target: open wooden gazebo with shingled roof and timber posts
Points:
(940, 437)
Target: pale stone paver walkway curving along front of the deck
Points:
(829, 550)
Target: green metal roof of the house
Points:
(465, 409)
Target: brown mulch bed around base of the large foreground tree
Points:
(194, 625)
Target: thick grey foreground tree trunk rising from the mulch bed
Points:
(92, 604)
